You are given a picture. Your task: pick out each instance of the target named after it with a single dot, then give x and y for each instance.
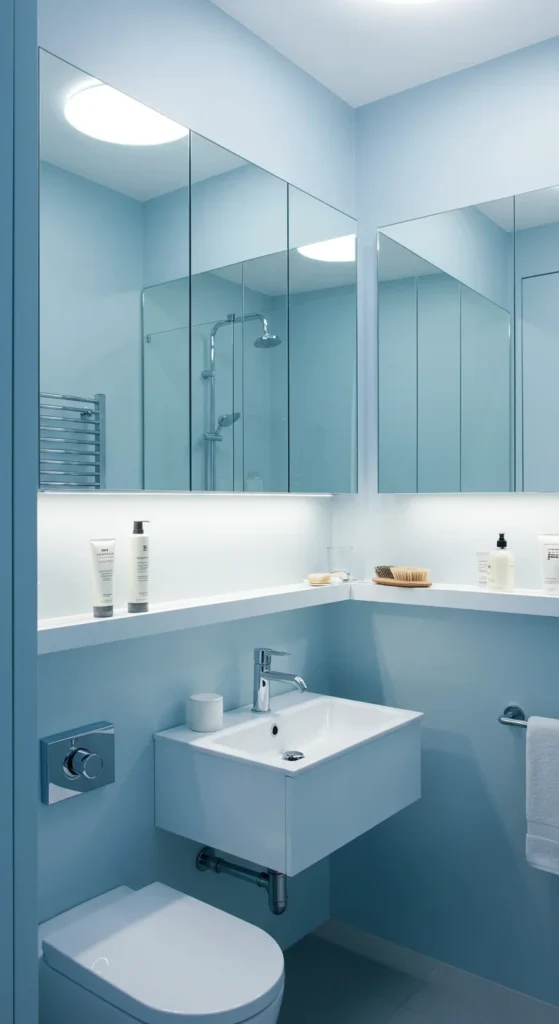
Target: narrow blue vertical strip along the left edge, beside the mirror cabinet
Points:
(24, 466)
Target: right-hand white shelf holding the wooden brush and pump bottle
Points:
(522, 603)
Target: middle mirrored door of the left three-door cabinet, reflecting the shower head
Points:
(240, 353)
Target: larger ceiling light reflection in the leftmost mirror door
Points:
(106, 114)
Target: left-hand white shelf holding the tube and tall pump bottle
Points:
(84, 631)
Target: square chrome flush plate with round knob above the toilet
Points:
(77, 762)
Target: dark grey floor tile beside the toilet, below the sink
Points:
(326, 985)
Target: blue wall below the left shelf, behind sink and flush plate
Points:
(143, 687)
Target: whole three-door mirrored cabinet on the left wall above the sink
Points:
(198, 314)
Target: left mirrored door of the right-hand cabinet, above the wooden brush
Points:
(447, 374)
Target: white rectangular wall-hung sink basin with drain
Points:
(234, 790)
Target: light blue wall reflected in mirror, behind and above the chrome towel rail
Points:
(92, 277)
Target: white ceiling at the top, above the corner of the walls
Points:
(366, 50)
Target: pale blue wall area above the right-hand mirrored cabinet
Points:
(471, 138)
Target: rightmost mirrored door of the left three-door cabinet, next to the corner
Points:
(323, 331)
